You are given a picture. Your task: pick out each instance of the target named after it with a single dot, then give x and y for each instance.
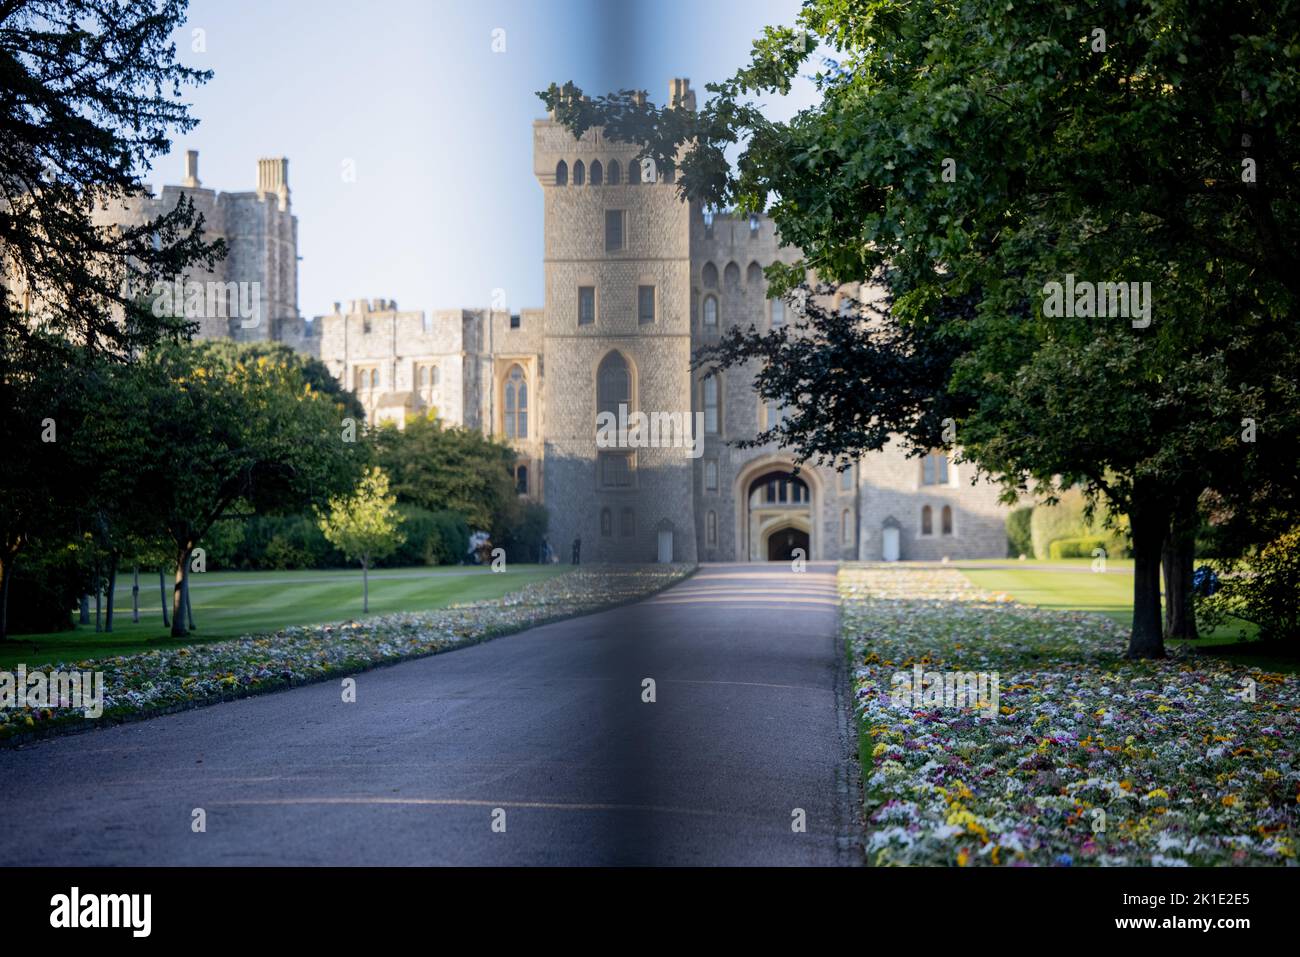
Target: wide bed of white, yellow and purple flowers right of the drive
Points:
(1091, 760)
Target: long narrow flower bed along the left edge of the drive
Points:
(175, 679)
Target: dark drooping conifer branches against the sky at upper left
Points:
(93, 93)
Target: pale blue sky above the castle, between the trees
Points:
(437, 127)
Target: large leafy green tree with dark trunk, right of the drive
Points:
(972, 154)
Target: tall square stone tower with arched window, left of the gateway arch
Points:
(618, 332)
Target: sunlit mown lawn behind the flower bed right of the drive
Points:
(1060, 587)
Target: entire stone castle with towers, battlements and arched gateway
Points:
(635, 282)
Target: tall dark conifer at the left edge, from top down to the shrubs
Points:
(90, 92)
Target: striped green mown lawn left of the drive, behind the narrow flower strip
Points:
(228, 605)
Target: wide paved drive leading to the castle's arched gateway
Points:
(749, 725)
